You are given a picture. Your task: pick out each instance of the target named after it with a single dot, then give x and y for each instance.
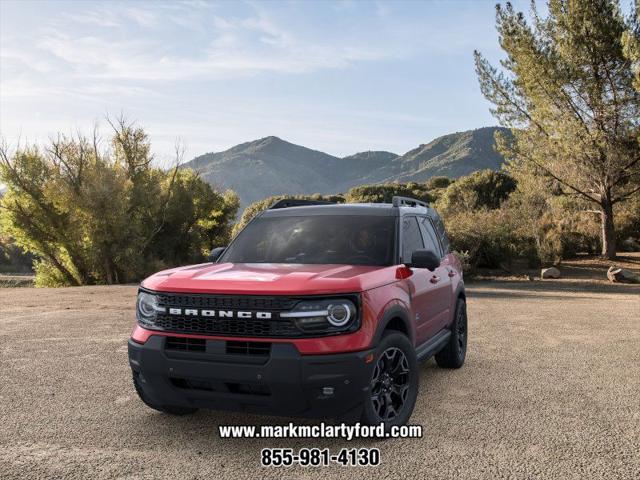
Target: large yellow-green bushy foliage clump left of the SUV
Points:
(93, 215)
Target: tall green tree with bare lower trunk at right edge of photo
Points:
(566, 89)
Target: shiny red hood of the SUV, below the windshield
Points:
(270, 278)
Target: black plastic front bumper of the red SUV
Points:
(280, 383)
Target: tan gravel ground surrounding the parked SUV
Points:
(550, 390)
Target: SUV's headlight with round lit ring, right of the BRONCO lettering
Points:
(324, 316)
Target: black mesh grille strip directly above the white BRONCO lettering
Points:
(239, 302)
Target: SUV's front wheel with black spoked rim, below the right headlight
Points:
(392, 396)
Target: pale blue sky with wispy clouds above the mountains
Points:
(340, 76)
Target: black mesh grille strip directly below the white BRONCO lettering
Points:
(236, 327)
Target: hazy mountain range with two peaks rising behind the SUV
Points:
(272, 166)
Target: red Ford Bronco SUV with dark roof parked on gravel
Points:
(318, 310)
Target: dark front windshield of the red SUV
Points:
(352, 240)
